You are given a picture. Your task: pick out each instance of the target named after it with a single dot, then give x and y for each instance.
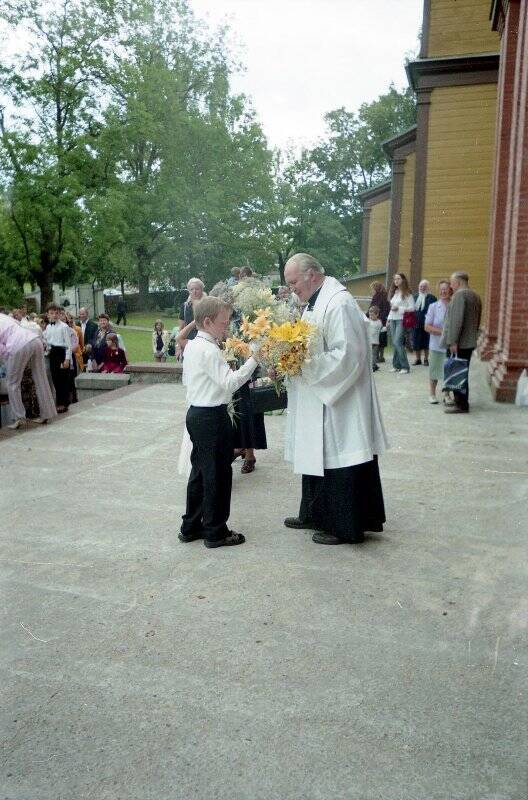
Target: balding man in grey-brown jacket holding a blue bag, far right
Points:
(461, 328)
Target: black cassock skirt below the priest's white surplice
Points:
(346, 501)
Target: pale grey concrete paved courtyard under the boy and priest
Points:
(138, 668)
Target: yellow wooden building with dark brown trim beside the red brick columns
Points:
(442, 169)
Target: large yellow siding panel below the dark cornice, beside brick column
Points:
(459, 177)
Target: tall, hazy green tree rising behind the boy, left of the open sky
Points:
(184, 162)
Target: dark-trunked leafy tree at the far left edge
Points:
(46, 144)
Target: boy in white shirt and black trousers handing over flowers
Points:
(210, 385)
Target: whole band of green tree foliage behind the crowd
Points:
(126, 158)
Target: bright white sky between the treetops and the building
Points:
(304, 58)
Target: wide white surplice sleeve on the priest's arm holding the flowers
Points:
(331, 373)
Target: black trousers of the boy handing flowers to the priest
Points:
(209, 486)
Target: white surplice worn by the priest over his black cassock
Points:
(334, 418)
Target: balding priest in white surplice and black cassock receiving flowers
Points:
(334, 427)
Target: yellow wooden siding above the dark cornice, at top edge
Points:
(460, 27)
